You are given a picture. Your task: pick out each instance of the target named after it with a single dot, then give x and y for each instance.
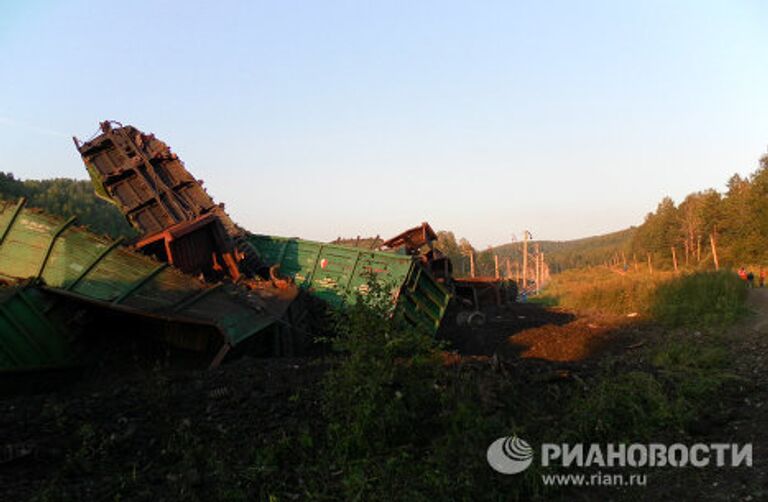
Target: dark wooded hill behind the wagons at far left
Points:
(67, 197)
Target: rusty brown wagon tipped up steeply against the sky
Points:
(178, 222)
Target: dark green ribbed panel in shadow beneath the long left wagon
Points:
(28, 340)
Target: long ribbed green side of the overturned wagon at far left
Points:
(75, 262)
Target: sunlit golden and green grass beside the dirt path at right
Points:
(677, 377)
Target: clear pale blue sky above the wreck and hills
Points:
(323, 118)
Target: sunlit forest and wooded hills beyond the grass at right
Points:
(737, 222)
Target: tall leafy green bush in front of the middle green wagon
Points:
(385, 392)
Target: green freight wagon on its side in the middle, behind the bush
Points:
(336, 273)
